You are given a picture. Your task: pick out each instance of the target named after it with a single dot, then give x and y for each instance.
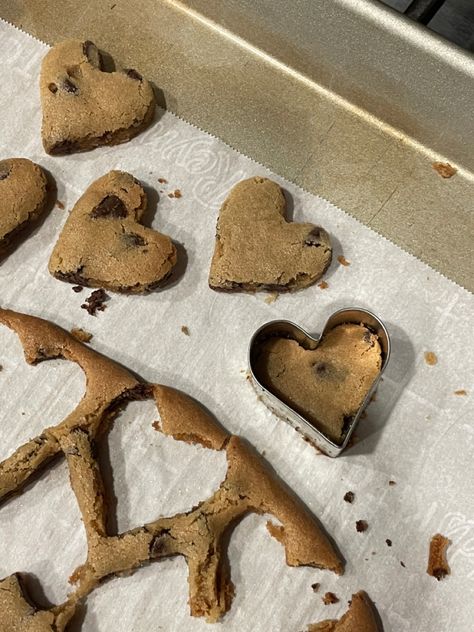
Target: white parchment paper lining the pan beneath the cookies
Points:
(417, 432)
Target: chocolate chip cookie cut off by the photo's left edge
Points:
(23, 196)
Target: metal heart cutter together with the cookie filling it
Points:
(321, 385)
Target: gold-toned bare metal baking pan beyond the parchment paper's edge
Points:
(319, 92)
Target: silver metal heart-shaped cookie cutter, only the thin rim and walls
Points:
(288, 329)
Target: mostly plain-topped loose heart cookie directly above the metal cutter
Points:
(257, 249)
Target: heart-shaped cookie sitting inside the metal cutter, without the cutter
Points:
(326, 385)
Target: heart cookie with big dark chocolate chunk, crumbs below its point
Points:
(103, 244)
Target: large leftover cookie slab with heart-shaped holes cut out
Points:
(200, 535)
